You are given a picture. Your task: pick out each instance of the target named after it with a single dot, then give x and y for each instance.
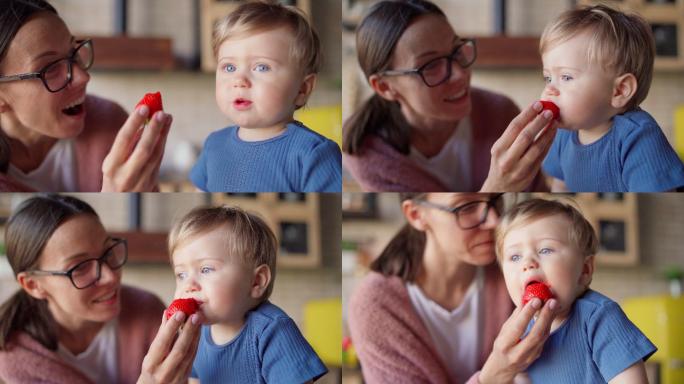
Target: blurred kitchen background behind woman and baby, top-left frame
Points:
(165, 45)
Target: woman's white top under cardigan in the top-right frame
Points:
(451, 165)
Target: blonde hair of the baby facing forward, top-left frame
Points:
(263, 15)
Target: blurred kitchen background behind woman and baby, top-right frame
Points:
(508, 61)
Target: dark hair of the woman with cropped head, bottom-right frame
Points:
(403, 255)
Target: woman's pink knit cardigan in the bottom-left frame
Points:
(27, 361)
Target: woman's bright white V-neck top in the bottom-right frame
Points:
(456, 334)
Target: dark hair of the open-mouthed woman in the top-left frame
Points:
(13, 15)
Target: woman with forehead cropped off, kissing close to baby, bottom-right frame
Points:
(434, 308)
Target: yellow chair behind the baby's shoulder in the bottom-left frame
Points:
(323, 329)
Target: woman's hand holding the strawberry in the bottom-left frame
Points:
(169, 359)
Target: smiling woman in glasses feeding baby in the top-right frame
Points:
(425, 128)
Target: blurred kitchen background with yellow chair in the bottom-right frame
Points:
(639, 264)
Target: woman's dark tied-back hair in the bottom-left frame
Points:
(27, 231)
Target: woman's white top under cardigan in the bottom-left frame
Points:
(99, 361)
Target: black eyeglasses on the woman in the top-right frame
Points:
(437, 71)
